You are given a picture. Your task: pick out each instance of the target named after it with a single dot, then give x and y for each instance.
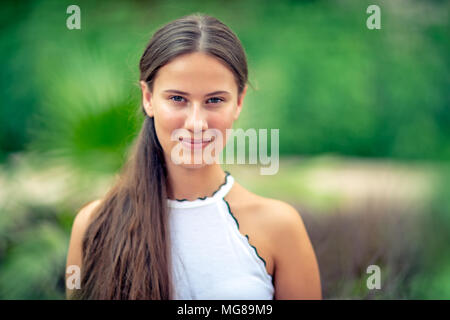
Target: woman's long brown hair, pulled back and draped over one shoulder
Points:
(126, 248)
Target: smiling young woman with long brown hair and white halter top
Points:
(190, 231)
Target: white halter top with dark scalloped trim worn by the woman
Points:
(211, 259)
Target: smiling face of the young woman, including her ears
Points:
(194, 92)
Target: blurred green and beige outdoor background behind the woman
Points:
(364, 119)
